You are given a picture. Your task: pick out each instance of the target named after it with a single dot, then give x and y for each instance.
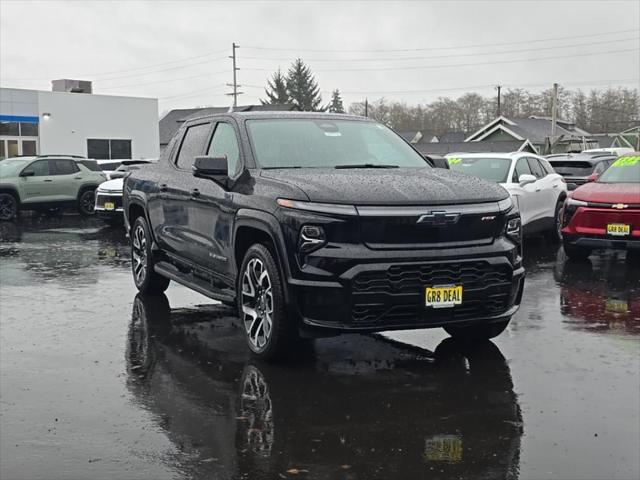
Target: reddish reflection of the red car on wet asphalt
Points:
(601, 293)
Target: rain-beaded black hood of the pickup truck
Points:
(397, 186)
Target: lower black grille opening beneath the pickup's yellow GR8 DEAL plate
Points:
(372, 314)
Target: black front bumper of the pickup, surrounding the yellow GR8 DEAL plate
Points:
(389, 294)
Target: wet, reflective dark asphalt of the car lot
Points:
(97, 382)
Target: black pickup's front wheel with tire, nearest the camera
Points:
(268, 330)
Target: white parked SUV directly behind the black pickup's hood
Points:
(533, 184)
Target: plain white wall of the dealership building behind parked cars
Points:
(75, 117)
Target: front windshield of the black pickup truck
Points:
(329, 143)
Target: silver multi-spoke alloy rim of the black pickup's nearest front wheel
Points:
(257, 303)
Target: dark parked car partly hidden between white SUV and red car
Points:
(580, 168)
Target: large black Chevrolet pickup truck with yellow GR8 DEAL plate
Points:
(316, 224)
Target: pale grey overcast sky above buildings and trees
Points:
(177, 51)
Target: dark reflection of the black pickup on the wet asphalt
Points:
(356, 407)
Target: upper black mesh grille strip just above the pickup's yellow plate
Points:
(413, 278)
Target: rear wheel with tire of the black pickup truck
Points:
(146, 279)
